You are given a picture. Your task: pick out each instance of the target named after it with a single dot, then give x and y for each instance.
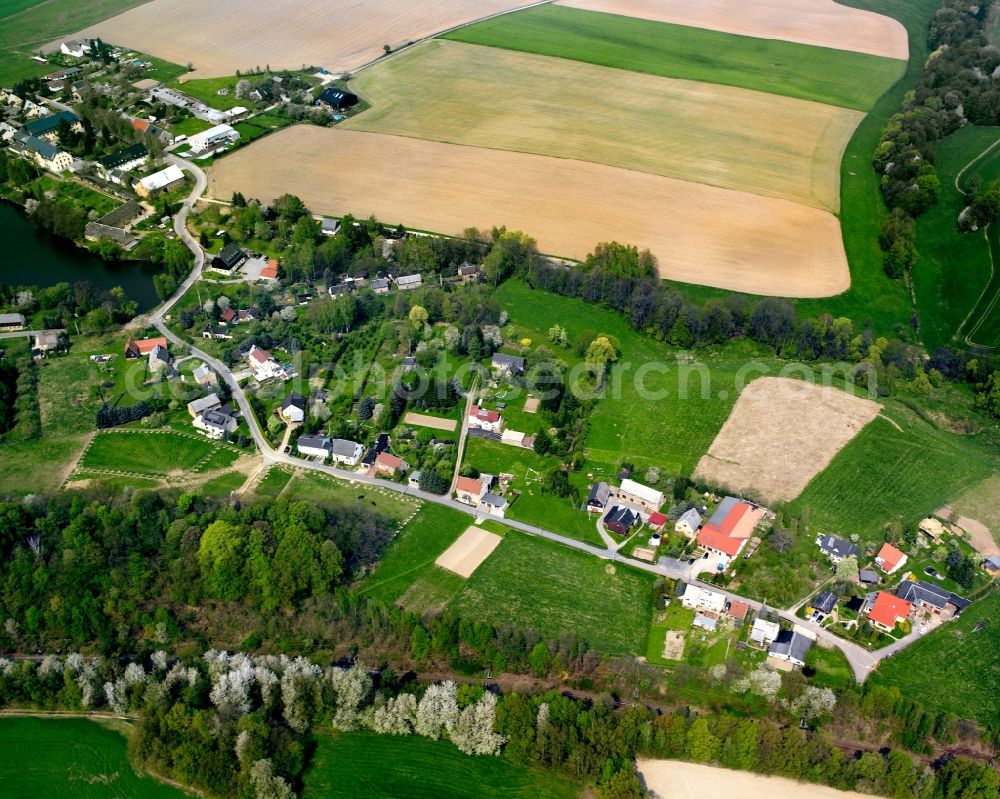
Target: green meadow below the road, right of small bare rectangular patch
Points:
(531, 582)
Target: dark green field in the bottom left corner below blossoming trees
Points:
(71, 757)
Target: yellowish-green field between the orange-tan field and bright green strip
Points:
(707, 133)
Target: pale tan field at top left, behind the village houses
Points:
(221, 38)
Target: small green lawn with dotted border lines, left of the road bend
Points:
(153, 452)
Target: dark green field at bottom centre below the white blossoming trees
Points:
(366, 766)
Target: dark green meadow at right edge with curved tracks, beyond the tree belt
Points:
(946, 294)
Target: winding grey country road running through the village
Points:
(861, 660)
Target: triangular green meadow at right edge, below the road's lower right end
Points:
(956, 668)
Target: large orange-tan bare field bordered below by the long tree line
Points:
(701, 234)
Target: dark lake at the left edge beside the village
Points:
(34, 257)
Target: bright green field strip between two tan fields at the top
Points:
(835, 77)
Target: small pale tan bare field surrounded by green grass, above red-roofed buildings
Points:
(781, 434)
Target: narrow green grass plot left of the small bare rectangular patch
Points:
(410, 558)
